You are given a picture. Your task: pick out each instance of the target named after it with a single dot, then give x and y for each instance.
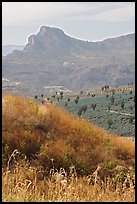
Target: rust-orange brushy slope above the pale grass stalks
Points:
(44, 133)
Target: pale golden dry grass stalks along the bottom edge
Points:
(24, 184)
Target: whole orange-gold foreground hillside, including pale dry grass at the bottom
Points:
(47, 136)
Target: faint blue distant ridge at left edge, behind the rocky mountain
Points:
(6, 49)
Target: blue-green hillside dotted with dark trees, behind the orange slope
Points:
(109, 103)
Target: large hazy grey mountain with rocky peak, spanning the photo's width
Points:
(52, 58)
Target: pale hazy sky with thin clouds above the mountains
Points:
(90, 21)
